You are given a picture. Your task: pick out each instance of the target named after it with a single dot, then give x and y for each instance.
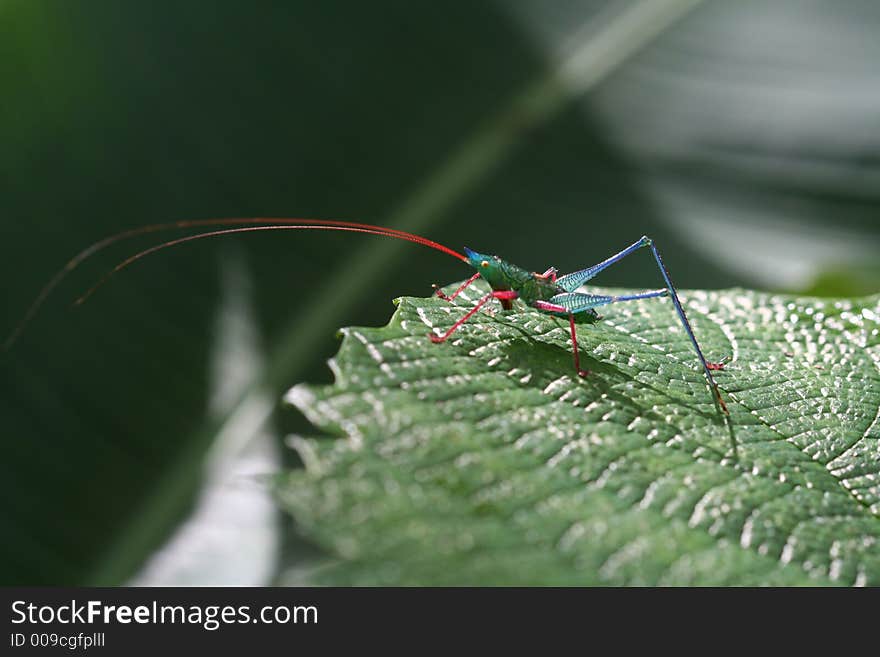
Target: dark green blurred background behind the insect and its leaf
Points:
(139, 428)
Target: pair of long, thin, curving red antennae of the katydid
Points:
(266, 224)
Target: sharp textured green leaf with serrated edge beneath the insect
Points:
(485, 461)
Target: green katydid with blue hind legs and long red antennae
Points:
(547, 292)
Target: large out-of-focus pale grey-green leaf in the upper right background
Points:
(754, 128)
